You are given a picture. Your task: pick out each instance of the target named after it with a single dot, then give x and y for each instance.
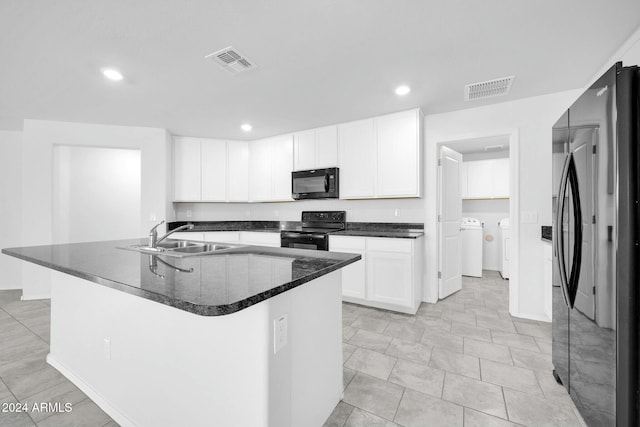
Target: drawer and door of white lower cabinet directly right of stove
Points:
(353, 275)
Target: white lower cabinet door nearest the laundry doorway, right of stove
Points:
(389, 277)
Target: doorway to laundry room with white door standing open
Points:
(487, 196)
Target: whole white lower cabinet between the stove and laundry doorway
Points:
(389, 275)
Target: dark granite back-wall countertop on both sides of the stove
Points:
(400, 230)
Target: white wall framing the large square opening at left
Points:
(39, 138)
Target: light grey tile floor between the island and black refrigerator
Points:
(461, 362)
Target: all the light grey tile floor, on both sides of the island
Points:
(461, 362)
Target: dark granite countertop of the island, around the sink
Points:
(208, 285)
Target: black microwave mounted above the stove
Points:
(315, 184)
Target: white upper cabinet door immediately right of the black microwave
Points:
(357, 159)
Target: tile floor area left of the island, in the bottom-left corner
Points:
(25, 376)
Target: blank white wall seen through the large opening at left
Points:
(96, 193)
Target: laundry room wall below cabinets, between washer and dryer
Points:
(489, 212)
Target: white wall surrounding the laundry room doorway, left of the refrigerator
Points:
(531, 119)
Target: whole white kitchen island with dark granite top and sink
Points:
(248, 337)
